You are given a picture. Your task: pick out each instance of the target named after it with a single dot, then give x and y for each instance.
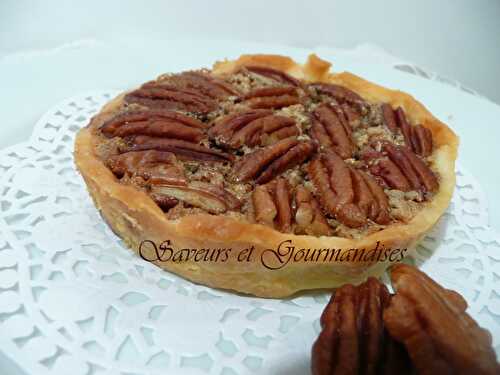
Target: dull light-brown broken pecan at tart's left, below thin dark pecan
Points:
(155, 167)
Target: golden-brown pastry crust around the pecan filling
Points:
(135, 217)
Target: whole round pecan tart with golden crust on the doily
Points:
(262, 150)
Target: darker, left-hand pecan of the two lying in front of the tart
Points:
(353, 339)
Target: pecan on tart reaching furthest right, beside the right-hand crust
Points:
(404, 170)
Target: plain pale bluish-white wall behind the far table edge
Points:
(456, 38)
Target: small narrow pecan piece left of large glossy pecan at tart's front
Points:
(308, 215)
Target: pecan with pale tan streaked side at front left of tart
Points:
(206, 196)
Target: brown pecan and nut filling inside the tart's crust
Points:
(306, 158)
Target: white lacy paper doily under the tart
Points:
(74, 300)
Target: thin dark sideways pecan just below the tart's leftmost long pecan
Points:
(182, 149)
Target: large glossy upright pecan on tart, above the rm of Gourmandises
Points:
(332, 180)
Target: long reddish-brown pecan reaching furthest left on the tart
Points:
(156, 123)
